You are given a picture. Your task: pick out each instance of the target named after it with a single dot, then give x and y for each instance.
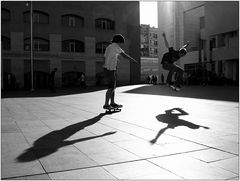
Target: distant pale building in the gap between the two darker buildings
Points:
(149, 51)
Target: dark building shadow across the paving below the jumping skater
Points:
(222, 93)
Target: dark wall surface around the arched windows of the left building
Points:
(124, 14)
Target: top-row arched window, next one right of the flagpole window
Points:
(71, 20)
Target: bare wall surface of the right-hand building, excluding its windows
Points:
(181, 22)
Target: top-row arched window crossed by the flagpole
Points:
(38, 17)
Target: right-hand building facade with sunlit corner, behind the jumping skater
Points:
(213, 31)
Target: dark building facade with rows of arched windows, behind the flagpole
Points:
(71, 36)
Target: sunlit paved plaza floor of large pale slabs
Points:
(159, 134)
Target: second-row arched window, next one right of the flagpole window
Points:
(72, 46)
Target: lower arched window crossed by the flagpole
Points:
(39, 44)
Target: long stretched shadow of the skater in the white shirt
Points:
(54, 140)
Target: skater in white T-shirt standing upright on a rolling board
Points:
(110, 68)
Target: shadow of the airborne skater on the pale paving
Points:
(171, 118)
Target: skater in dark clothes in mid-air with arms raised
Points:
(168, 63)
